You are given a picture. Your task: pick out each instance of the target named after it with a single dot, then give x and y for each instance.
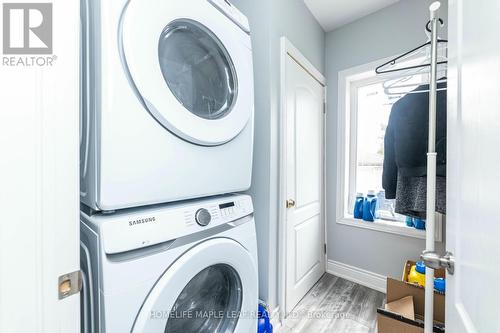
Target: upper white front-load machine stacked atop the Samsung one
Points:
(167, 101)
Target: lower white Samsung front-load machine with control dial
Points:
(186, 267)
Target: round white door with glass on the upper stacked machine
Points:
(189, 67)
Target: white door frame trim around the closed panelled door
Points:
(288, 49)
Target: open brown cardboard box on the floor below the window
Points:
(393, 322)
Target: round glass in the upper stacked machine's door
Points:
(197, 68)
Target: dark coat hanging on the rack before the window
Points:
(405, 152)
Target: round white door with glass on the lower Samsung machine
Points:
(212, 288)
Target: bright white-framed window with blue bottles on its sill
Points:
(365, 102)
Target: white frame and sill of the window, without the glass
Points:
(349, 81)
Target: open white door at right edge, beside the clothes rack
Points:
(473, 221)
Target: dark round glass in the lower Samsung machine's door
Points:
(210, 302)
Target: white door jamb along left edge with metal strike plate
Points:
(39, 201)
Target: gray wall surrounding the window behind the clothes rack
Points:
(388, 32)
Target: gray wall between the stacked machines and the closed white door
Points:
(269, 20)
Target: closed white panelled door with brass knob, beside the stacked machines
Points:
(304, 221)
